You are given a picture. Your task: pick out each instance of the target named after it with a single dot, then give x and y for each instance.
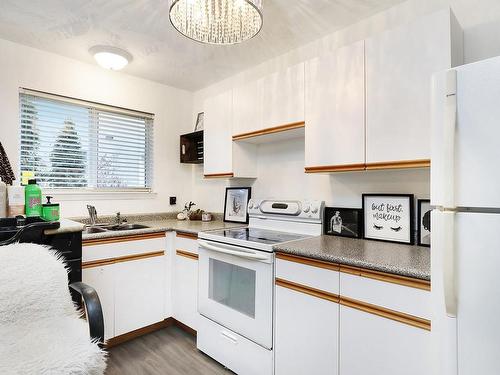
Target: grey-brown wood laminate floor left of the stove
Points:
(169, 351)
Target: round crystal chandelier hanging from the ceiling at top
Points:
(217, 21)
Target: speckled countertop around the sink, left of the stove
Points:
(162, 222)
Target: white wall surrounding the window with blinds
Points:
(22, 66)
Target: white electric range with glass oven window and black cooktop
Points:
(236, 277)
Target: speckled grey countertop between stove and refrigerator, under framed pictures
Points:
(399, 259)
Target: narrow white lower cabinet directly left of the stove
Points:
(185, 282)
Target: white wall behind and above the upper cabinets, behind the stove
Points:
(281, 166)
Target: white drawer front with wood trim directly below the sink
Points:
(110, 250)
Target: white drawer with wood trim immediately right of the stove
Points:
(318, 275)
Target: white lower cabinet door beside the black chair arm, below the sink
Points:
(102, 280)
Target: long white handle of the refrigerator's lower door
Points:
(450, 295)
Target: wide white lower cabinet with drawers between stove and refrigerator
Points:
(331, 319)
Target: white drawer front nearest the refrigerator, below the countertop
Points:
(400, 298)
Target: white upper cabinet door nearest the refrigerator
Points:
(399, 67)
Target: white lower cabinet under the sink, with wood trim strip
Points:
(130, 280)
